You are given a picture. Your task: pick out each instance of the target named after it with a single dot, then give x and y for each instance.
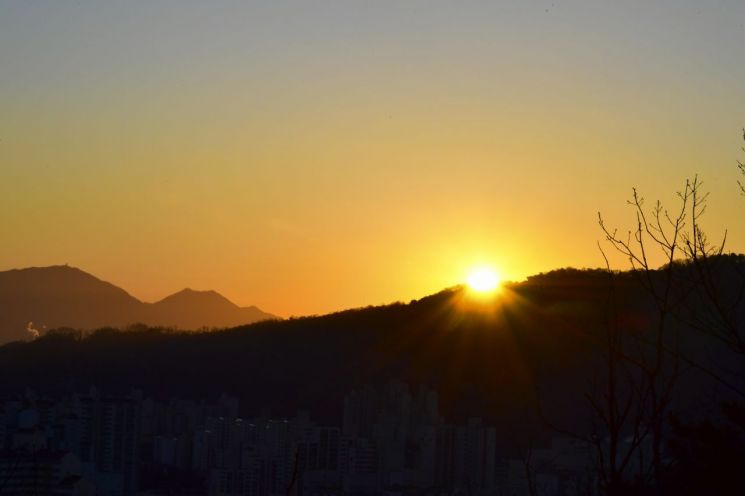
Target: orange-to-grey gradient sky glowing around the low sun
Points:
(307, 157)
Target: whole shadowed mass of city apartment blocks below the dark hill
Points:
(390, 442)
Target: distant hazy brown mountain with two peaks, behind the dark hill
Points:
(39, 298)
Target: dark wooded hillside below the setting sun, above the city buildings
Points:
(485, 358)
